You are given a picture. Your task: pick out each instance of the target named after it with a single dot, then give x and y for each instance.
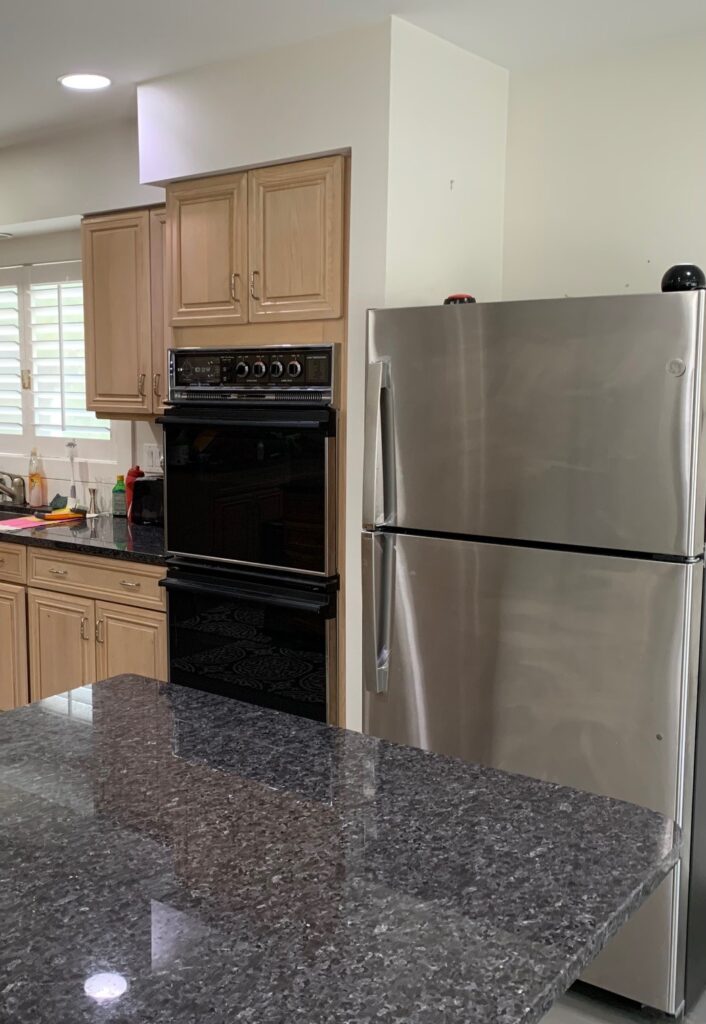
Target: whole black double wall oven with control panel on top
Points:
(251, 486)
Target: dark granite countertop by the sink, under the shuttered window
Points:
(105, 536)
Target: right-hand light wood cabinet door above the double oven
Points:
(296, 217)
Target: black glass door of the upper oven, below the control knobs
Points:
(251, 488)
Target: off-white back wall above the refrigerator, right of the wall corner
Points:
(607, 174)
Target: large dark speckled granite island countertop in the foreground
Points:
(233, 865)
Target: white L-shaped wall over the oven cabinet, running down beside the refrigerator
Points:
(320, 97)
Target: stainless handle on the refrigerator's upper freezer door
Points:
(379, 477)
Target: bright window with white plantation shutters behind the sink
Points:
(43, 365)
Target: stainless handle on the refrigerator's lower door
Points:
(378, 624)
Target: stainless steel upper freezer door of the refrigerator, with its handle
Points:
(567, 421)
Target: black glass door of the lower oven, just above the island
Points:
(265, 645)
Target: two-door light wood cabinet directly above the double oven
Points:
(283, 225)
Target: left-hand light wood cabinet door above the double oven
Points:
(207, 241)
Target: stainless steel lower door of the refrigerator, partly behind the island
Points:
(575, 668)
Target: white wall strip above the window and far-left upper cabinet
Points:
(73, 174)
